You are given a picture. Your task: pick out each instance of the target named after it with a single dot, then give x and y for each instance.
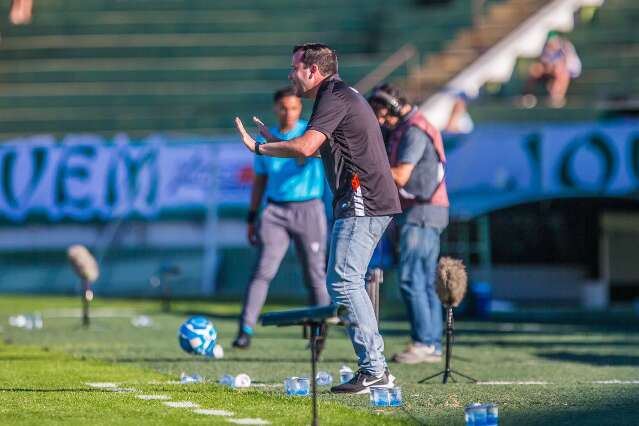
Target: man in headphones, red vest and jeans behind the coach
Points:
(417, 160)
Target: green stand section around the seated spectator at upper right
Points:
(602, 37)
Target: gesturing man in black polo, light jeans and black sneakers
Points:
(345, 130)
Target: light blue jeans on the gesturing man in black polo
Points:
(352, 243)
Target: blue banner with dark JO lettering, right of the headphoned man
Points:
(502, 165)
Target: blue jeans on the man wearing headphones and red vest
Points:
(419, 250)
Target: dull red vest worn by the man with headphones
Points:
(440, 196)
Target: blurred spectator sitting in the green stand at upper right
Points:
(557, 66)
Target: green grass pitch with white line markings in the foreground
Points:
(584, 369)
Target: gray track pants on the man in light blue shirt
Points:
(305, 223)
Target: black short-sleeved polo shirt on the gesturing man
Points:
(354, 156)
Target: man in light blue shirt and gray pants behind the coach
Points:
(294, 210)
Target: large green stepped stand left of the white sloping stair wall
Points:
(141, 66)
